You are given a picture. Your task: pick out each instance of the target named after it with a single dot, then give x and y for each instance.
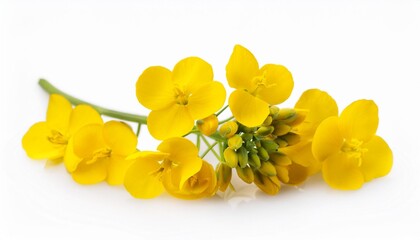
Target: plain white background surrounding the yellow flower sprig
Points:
(97, 49)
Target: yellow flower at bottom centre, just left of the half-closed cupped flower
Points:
(176, 162)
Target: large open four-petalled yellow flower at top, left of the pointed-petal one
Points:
(179, 97)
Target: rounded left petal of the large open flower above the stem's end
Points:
(155, 89)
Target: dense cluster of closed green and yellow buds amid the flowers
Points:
(250, 150)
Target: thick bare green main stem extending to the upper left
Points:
(49, 88)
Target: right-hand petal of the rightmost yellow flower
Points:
(377, 161)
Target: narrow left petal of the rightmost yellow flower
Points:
(327, 140)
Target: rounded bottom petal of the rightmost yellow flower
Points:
(341, 172)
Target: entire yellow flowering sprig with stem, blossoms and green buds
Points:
(265, 144)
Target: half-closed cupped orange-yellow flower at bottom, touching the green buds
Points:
(200, 185)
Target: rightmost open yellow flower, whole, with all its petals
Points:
(351, 152)
